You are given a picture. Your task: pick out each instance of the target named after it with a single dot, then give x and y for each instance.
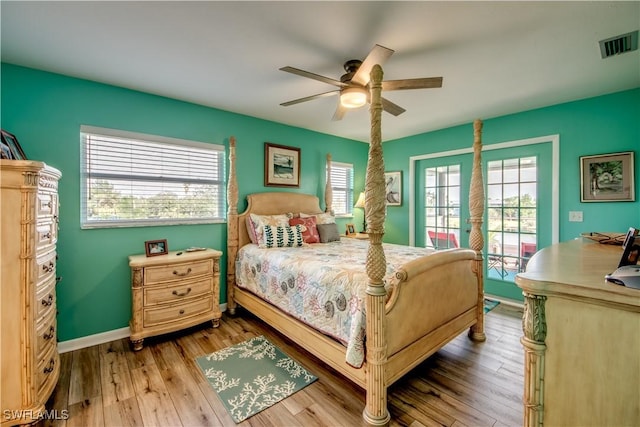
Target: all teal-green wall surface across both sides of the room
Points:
(45, 111)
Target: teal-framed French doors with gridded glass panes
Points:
(518, 208)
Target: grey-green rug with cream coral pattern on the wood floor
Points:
(252, 376)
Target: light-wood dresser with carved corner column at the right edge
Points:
(581, 339)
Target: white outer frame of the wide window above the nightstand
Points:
(219, 180)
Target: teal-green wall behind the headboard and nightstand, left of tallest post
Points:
(45, 111)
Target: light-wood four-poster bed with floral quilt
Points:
(413, 306)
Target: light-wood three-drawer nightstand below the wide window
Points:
(172, 292)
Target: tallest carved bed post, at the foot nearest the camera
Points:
(375, 411)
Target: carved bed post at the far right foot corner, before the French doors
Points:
(476, 240)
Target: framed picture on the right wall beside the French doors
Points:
(607, 178)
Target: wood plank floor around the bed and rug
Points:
(464, 384)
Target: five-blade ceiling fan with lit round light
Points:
(353, 88)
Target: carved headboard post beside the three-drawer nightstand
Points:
(232, 226)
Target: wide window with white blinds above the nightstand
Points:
(131, 179)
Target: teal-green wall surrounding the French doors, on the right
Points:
(604, 124)
